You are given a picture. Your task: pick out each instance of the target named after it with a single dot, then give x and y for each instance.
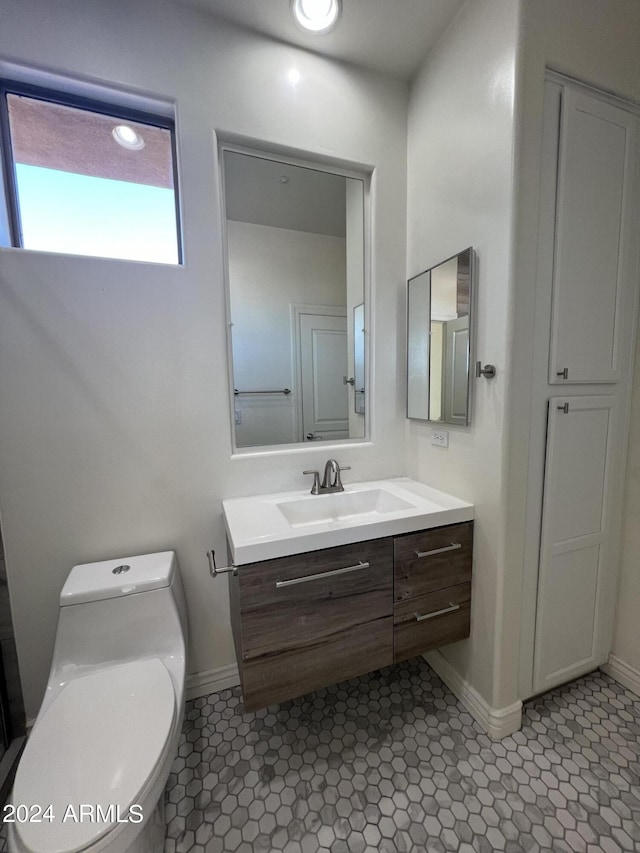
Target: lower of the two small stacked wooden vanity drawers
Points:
(431, 620)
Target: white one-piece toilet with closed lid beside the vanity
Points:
(93, 772)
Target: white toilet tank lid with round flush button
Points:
(115, 578)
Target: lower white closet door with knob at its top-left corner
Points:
(575, 539)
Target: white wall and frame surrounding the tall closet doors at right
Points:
(598, 43)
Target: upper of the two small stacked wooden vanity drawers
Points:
(432, 560)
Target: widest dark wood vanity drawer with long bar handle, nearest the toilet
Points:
(294, 603)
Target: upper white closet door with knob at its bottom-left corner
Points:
(593, 238)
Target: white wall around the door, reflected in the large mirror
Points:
(271, 269)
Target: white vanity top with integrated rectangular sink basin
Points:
(265, 527)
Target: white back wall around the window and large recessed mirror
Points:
(115, 420)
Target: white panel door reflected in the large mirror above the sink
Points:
(325, 399)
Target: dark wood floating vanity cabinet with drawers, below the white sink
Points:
(306, 621)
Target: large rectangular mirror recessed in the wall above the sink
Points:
(295, 246)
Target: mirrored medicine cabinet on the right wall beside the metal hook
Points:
(439, 340)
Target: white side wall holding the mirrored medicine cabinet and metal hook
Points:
(460, 150)
